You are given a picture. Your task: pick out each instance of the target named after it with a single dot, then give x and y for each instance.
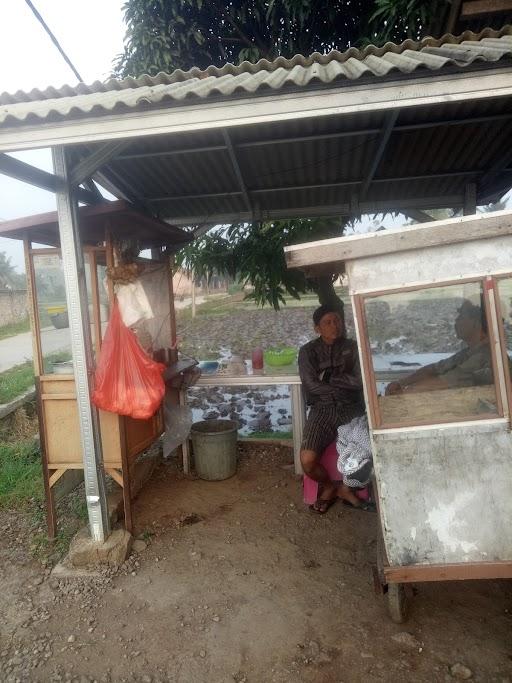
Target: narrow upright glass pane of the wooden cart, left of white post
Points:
(53, 313)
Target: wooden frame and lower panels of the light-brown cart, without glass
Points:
(123, 438)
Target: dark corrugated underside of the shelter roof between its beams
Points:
(307, 167)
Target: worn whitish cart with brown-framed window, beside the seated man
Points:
(432, 306)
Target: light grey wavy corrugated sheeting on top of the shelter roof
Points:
(489, 46)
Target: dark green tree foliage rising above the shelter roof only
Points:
(163, 35)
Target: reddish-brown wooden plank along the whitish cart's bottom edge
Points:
(449, 572)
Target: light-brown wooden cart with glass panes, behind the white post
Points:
(102, 227)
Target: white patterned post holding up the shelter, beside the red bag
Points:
(81, 346)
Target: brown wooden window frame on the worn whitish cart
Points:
(496, 337)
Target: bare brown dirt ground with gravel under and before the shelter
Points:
(241, 582)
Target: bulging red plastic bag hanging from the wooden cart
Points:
(127, 380)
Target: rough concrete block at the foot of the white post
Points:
(84, 552)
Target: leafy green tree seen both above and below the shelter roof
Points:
(163, 35)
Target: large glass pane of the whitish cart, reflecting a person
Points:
(431, 355)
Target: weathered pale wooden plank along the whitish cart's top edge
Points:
(406, 238)
